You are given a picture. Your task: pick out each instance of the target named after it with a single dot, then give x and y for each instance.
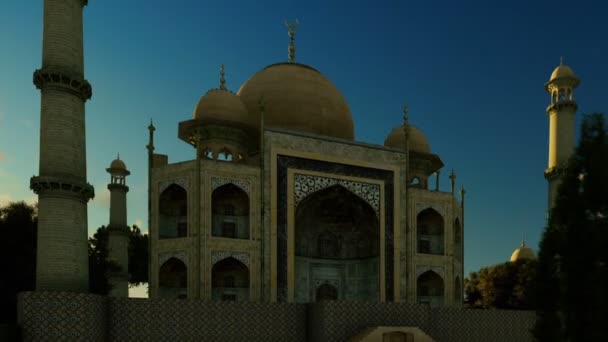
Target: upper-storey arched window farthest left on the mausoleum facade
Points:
(173, 212)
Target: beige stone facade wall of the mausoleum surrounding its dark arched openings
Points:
(200, 249)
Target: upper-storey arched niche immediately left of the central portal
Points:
(230, 212)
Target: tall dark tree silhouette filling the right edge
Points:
(573, 257)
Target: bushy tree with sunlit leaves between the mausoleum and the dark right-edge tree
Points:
(502, 286)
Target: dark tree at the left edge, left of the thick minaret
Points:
(18, 223)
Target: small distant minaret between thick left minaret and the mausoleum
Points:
(118, 231)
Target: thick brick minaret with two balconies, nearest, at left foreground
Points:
(62, 188)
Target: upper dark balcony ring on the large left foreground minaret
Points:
(54, 79)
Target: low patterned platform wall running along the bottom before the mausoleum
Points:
(61, 316)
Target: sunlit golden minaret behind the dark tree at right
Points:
(561, 113)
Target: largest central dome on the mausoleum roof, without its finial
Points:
(298, 97)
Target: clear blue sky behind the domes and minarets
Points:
(472, 74)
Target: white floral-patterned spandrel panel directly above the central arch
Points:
(306, 185)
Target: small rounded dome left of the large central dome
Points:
(222, 106)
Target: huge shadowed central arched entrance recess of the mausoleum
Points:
(337, 245)
